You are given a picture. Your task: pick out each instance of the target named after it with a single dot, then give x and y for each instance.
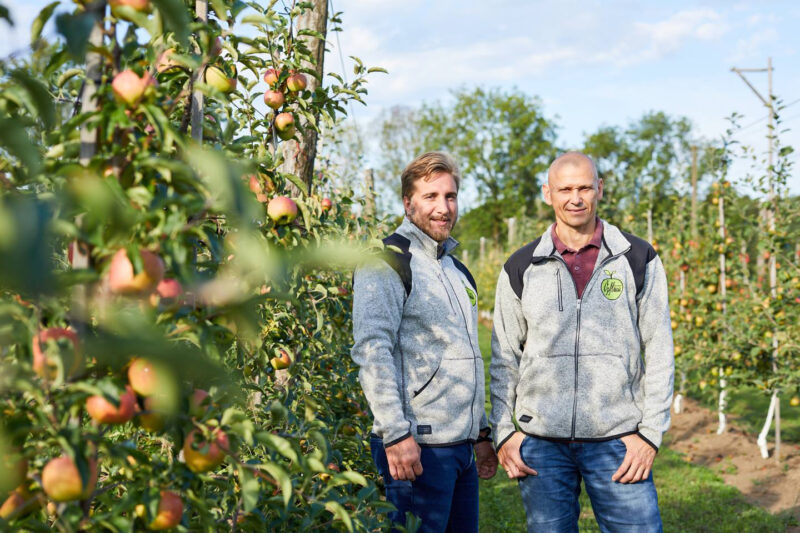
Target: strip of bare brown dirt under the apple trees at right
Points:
(735, 456)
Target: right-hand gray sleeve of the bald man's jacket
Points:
(659, 361)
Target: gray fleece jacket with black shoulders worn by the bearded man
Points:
(420, 364)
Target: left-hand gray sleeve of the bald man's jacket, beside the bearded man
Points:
(508, 339)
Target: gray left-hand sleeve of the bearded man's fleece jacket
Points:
(378, 297)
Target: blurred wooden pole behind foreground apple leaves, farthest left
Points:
(88, 148)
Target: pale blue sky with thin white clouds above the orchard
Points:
(592, 63)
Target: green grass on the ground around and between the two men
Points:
(691, 498)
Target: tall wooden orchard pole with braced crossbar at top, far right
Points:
(769, 218)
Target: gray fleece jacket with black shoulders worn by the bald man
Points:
(593, 368)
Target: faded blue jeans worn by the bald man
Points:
(551, 498)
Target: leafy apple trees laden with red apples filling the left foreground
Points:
(202, 270)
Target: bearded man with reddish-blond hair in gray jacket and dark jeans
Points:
(415, 323)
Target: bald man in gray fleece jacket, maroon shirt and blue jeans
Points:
(582, 363)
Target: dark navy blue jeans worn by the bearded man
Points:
(444, 497)
